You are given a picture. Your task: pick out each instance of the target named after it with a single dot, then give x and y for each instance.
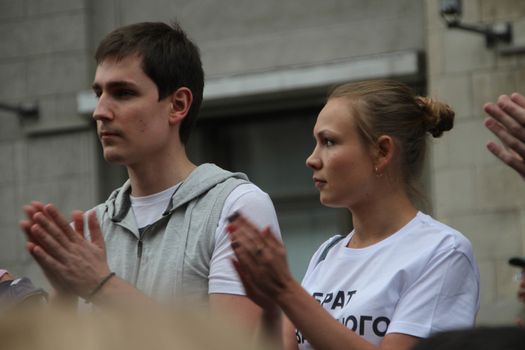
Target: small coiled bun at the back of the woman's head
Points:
(439, 117)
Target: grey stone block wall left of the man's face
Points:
(43, 58)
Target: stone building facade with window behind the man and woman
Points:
(268, 67)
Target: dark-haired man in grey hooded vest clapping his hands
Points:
(163, 233)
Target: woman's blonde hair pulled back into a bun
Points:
(388, 107)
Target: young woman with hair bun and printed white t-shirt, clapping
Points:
(399, 275)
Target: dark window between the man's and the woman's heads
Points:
(271, 148)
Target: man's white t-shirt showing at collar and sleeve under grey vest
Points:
(247, 199)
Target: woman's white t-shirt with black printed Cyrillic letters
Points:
(420, 280)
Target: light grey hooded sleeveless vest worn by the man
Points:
(171, 257)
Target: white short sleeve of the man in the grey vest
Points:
(257, 206)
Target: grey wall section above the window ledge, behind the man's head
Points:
(244, 36)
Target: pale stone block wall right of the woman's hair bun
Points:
(472, 190)
